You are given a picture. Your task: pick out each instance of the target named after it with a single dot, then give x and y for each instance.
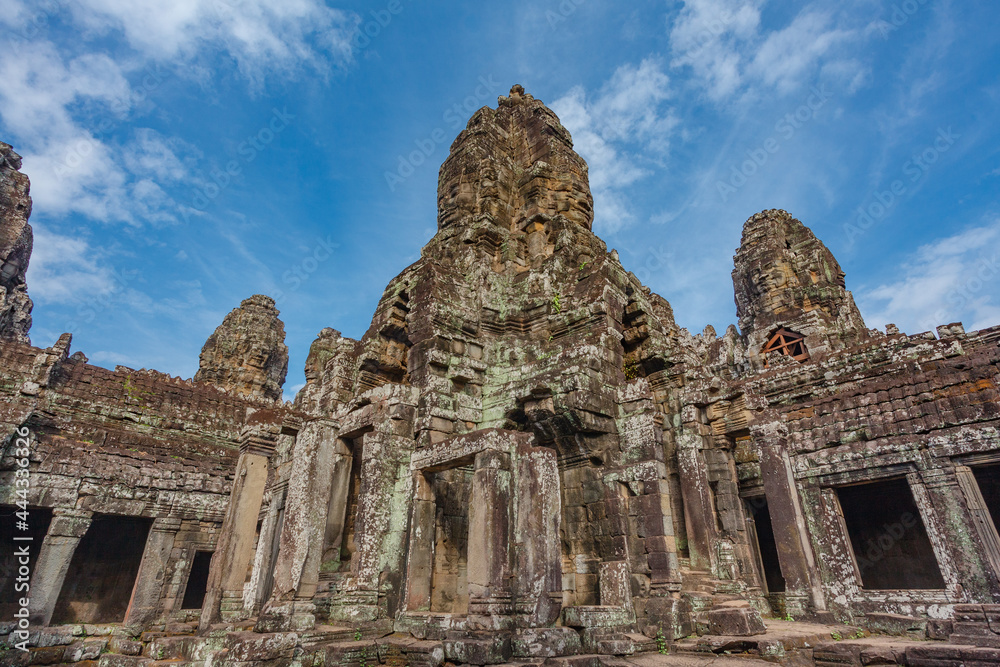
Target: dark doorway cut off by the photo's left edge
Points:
(14, 539)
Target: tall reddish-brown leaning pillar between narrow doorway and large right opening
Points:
(794, 549)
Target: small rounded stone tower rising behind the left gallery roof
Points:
(246, 354)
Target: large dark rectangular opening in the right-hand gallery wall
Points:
(888, 537)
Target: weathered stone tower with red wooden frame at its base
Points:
(789, 285)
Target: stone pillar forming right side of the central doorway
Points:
(490, 539)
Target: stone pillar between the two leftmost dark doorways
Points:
(65, 532)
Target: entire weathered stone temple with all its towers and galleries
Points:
(524, 460)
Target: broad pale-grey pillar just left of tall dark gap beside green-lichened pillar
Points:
(300, 551)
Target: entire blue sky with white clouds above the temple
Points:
(186, 155)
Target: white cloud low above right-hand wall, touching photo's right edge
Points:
(956, 278)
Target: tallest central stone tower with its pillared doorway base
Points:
(488, 456)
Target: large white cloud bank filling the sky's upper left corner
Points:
(50, 101)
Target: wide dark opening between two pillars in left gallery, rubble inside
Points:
(101, 575)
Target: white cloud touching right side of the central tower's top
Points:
(625, 114)
